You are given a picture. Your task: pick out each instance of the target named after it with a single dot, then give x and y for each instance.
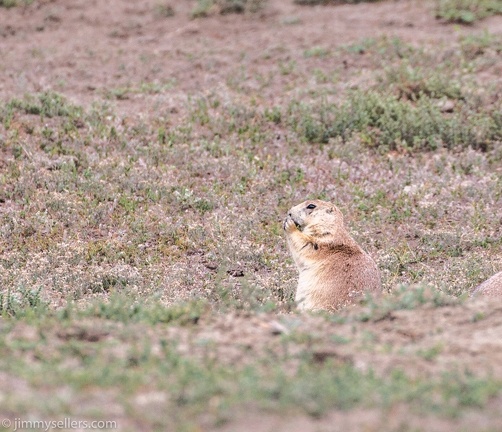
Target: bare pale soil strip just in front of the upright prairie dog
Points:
(460, 337)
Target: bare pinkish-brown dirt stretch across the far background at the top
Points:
(82, 49)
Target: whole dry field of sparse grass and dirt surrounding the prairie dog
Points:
(144, 274)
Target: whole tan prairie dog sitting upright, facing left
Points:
(333, 270)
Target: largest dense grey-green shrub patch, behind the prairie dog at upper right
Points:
(391, 123)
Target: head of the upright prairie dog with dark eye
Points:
(316, 217)
